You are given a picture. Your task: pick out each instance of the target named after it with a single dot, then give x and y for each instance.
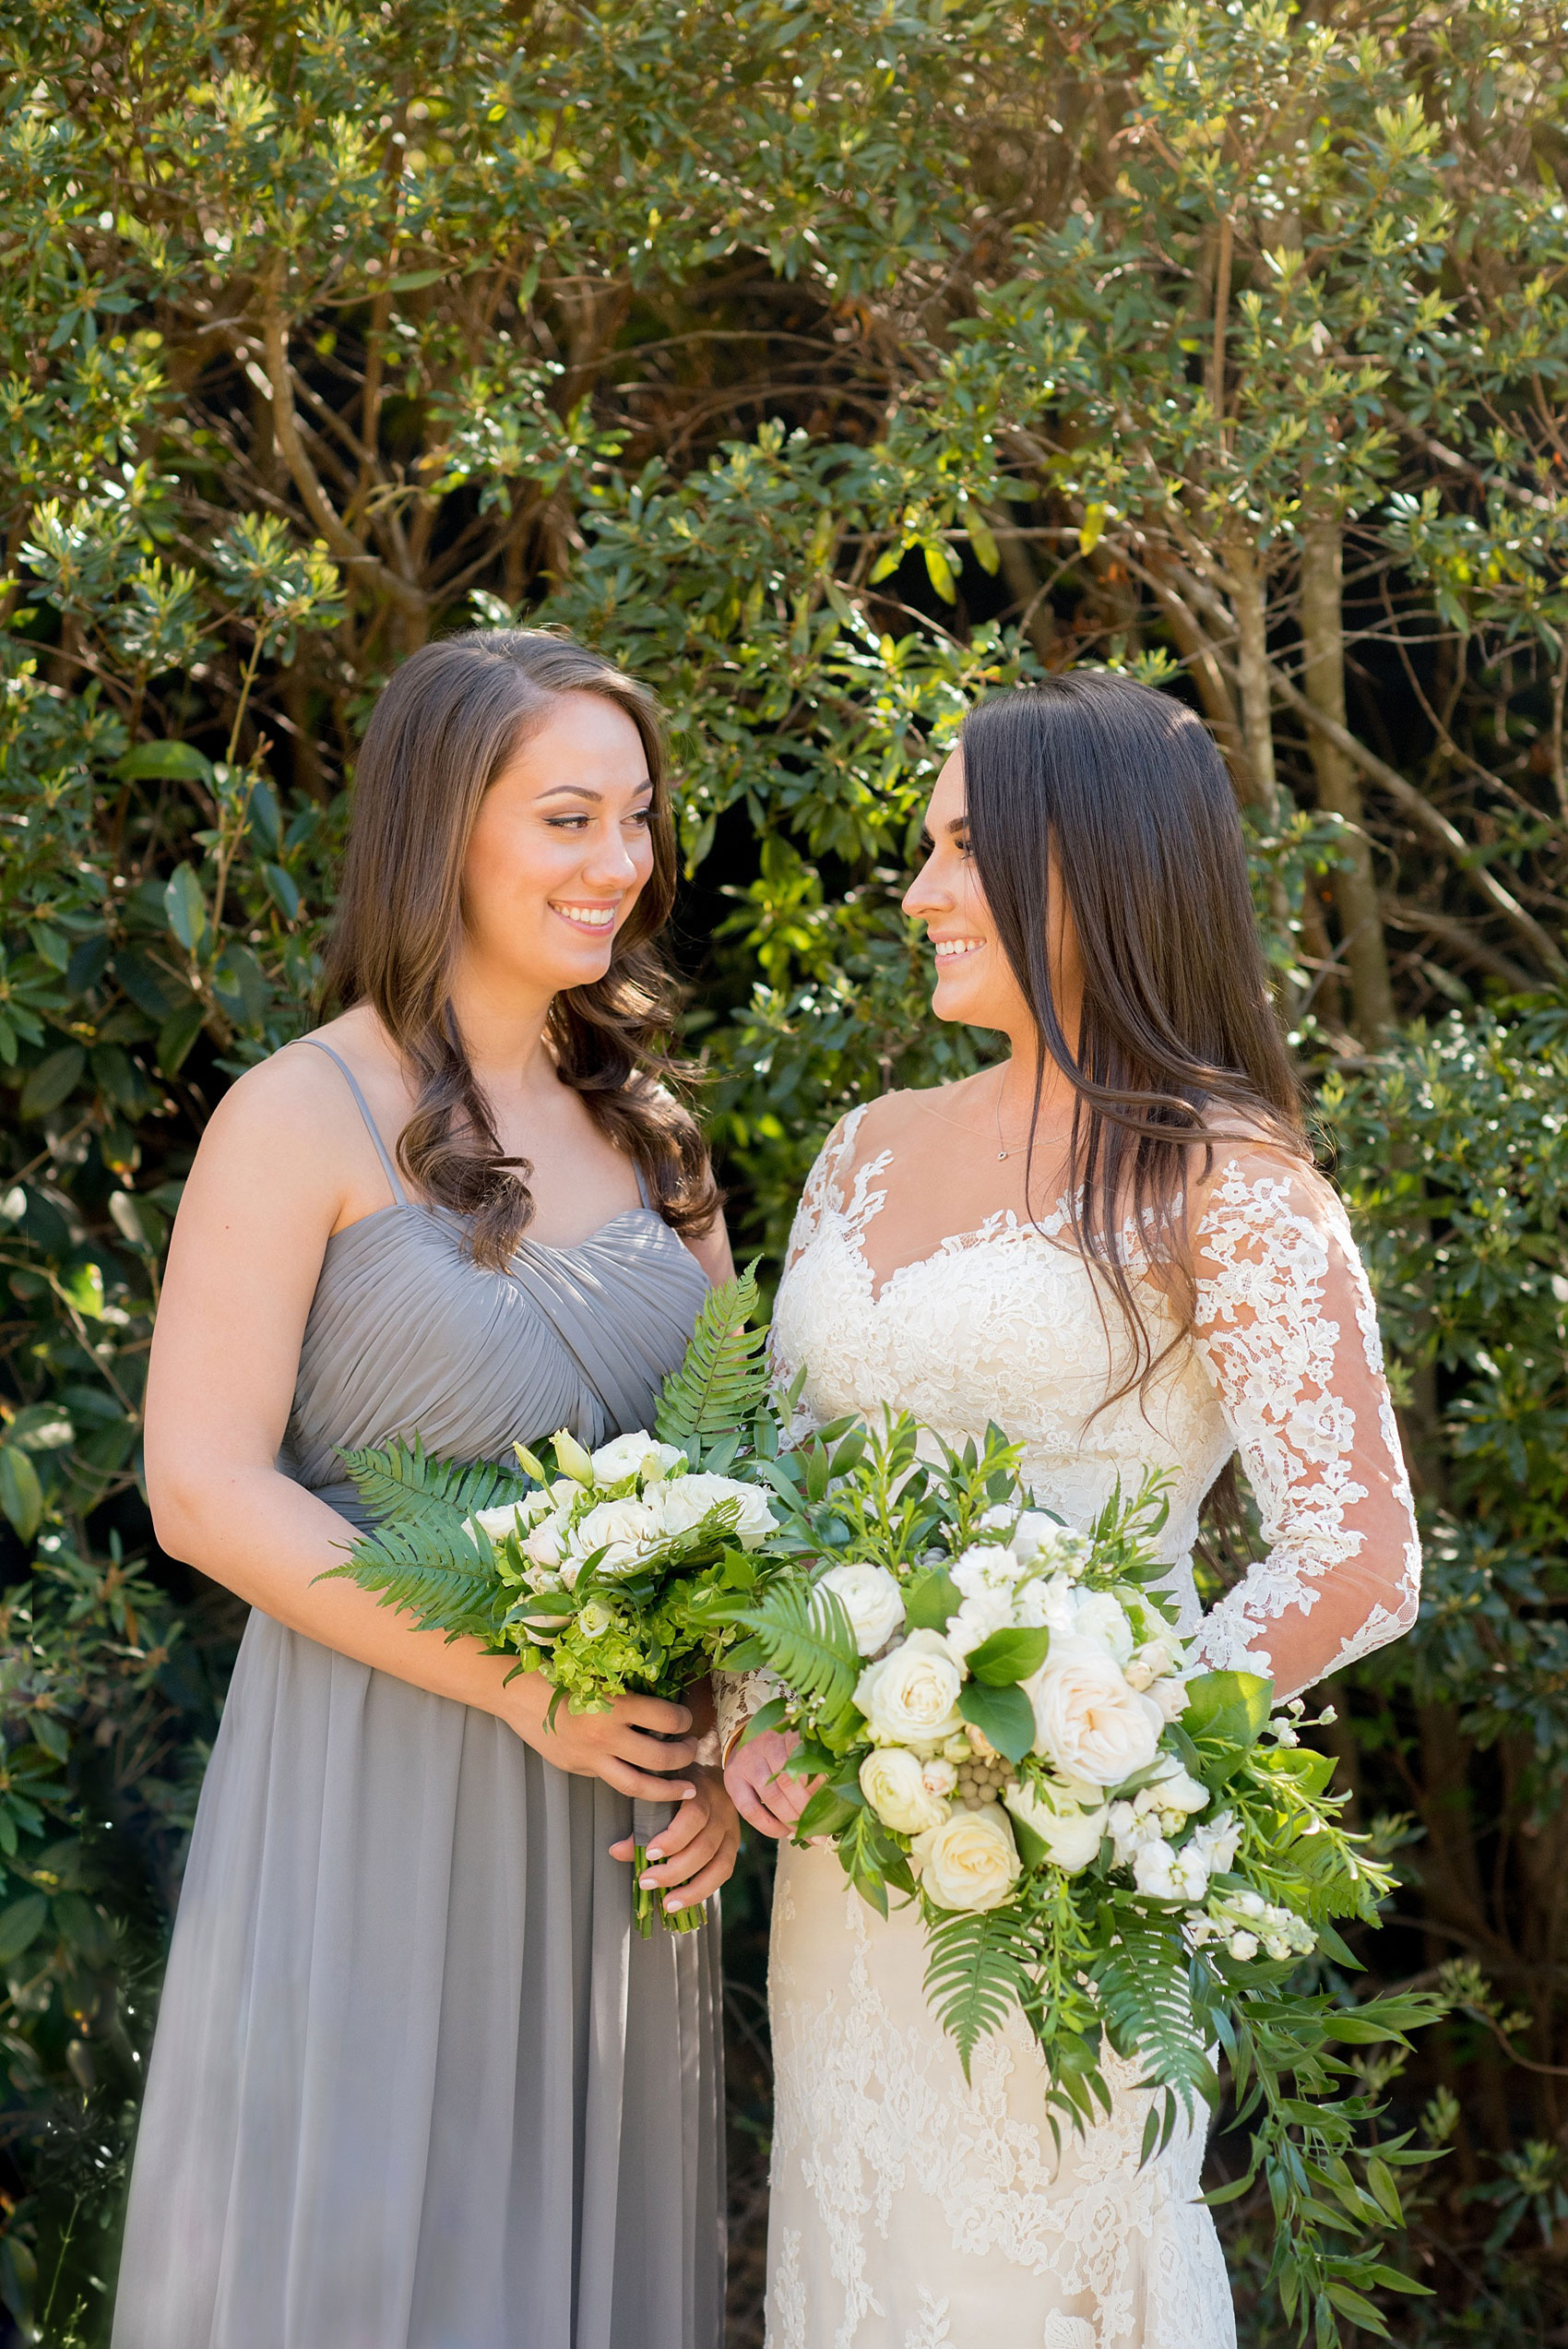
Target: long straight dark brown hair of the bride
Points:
(1118, 797)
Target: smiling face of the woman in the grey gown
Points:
(562, 849)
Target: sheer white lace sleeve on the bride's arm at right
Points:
(1290, 1333)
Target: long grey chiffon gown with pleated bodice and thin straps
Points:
(417, 2082)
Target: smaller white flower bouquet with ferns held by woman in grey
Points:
(607, 1573)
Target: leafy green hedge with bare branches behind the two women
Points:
(830, 363)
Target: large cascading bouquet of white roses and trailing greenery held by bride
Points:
(1102, 1838)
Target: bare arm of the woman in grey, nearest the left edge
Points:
(281, 1169)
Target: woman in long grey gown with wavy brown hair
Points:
(417, 2085)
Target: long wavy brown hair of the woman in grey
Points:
(438, 739)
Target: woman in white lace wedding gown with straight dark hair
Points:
(1114, 1246)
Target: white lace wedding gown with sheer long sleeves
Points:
(914, 2209)
